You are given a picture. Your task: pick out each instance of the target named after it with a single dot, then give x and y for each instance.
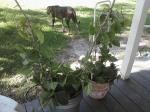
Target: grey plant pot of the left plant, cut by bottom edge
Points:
(72, 106)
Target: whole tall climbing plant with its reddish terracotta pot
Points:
(99, 70)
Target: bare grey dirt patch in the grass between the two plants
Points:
(76, 48)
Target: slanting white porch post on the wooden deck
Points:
(136, 30)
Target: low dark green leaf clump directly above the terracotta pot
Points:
(101, 73)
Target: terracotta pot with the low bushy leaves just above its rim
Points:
(99, 78)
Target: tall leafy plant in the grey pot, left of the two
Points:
(61, 88)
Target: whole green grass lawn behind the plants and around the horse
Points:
(11, 63)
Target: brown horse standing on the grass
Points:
(67, 13)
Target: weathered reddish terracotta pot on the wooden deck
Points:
(99, 91)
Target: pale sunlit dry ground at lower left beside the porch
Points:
(16, 88)
